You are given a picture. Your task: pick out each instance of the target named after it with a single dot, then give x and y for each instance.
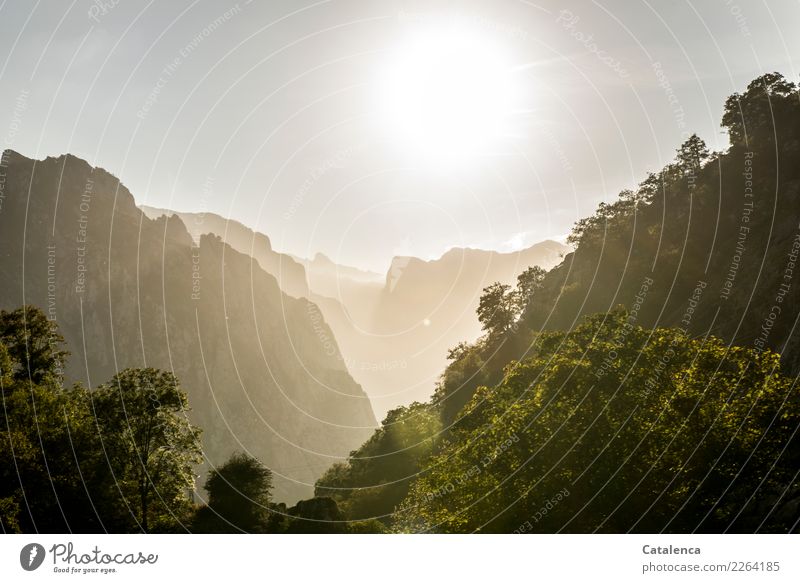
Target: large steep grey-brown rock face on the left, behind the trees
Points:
(130, 291)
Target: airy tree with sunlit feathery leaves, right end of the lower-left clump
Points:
(151, 445)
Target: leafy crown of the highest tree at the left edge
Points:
(34, 344)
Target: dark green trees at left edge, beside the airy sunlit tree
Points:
(48, 447)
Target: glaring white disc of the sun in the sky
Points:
(447, 95)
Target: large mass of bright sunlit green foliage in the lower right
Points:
(647, 430)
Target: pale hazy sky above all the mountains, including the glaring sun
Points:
(288, 115)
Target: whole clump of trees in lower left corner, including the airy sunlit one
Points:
(116, 459)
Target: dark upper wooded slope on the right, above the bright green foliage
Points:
(709, 244)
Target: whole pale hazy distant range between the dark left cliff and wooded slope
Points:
(392, 331)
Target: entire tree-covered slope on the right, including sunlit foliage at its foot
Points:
(647, 383)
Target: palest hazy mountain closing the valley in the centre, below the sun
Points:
(399, 347)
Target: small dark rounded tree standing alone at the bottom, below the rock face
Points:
(238, 496)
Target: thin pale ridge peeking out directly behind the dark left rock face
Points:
(289, 273)
